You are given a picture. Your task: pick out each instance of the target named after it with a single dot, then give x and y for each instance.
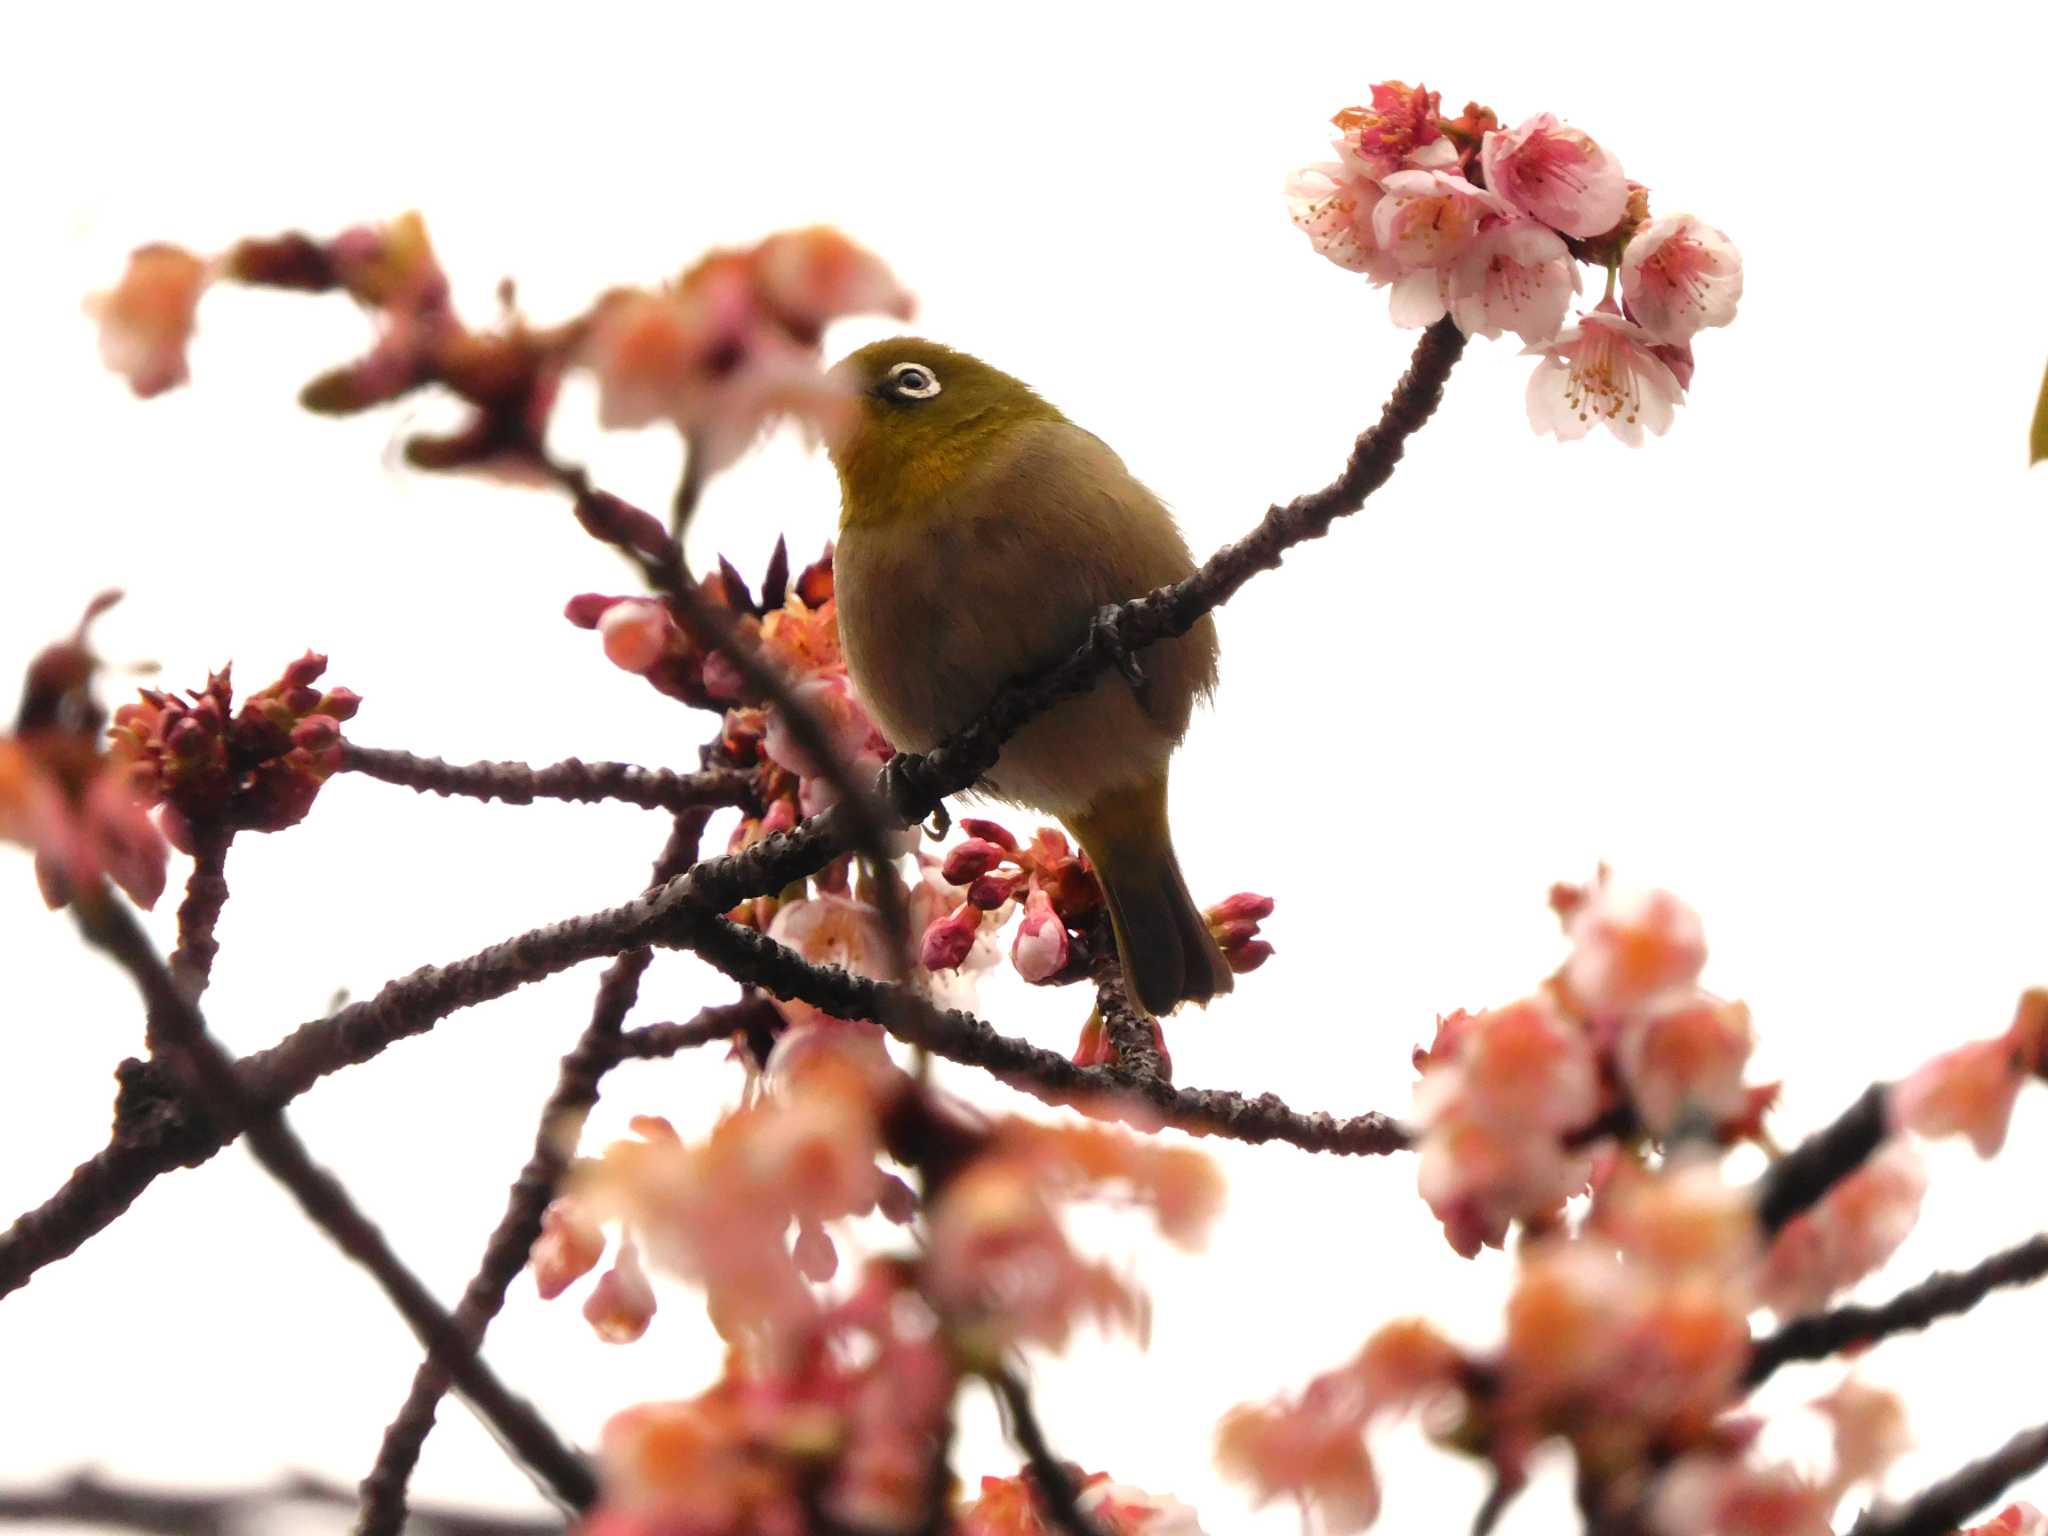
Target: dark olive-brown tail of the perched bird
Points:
(1166, 949)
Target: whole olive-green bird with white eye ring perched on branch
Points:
(980, 536)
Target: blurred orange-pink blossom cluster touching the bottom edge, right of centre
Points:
(1627, 1340)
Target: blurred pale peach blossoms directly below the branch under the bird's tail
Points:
(804, 1152)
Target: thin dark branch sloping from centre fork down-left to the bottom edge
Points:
(577, 1091)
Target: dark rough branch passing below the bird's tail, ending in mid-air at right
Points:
(1050, 1076)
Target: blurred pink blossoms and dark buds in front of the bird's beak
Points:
(722, 353)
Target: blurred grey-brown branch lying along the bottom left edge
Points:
(85, 1500)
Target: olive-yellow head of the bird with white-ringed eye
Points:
(923, 419)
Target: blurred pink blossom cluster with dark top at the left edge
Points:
(62, 798)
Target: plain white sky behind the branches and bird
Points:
(1787, 660)
